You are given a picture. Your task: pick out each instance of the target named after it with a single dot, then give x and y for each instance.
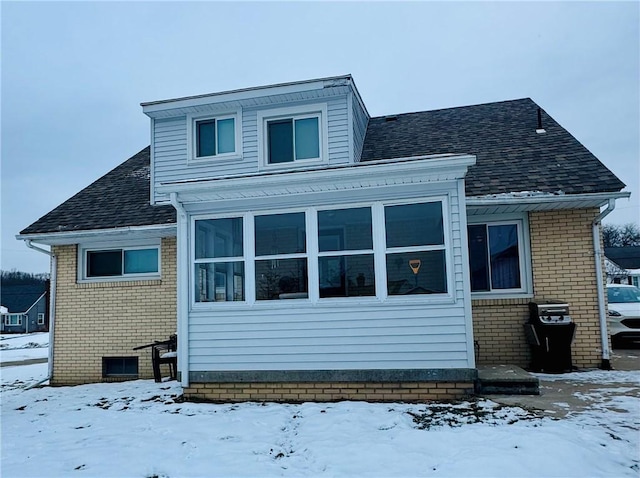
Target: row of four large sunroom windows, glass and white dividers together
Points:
(321, 254)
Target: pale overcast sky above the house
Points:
(74, 75)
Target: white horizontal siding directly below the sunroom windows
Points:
(329, 338)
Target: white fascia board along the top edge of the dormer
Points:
(151, 107)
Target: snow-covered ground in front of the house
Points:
(142, 429)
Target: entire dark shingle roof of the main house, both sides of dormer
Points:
(511, 157)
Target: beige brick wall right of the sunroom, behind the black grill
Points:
(563, 268)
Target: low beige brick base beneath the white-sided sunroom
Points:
(328, 392)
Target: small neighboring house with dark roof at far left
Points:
(26, 309)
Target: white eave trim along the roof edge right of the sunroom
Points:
(588, 199)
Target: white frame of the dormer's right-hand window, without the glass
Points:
(318, 110)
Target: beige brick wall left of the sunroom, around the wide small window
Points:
(108, 319)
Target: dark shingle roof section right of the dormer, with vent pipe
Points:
(511, 156)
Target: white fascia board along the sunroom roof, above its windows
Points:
(421, 169)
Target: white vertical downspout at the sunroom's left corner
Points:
(182, 290)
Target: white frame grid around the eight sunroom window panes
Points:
(312, 254)
